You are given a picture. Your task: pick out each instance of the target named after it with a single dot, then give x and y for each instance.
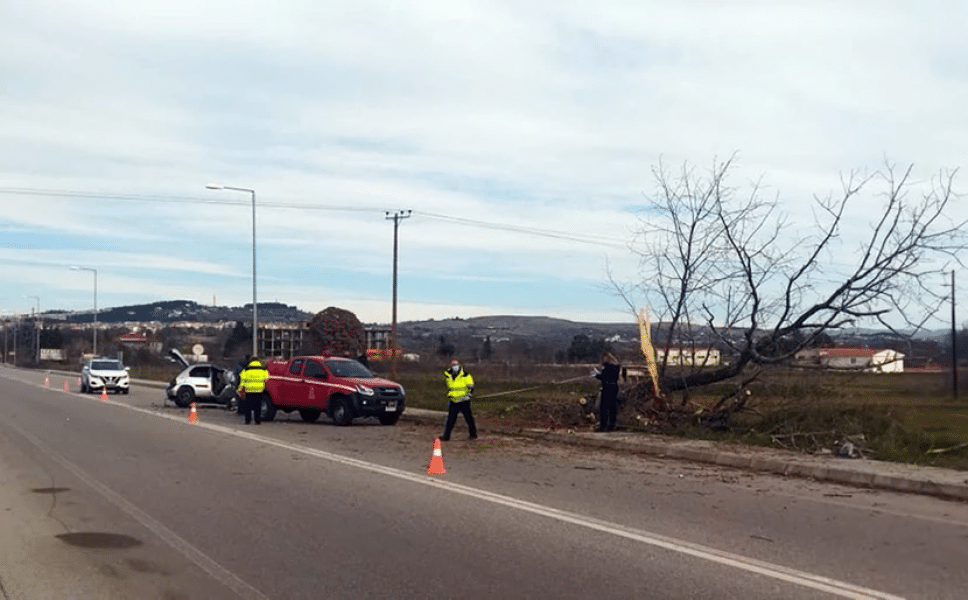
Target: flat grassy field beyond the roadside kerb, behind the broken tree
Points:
(902, 416)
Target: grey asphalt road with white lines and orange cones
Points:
(127, 499)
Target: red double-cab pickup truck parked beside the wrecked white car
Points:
(341, 387)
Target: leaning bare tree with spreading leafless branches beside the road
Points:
(728, 267)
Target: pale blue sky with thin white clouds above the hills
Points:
(521, 134)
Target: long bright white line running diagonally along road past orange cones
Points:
(794, 576)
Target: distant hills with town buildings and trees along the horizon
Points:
(143, 333)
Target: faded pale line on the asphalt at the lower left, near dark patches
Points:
(205, 562)
